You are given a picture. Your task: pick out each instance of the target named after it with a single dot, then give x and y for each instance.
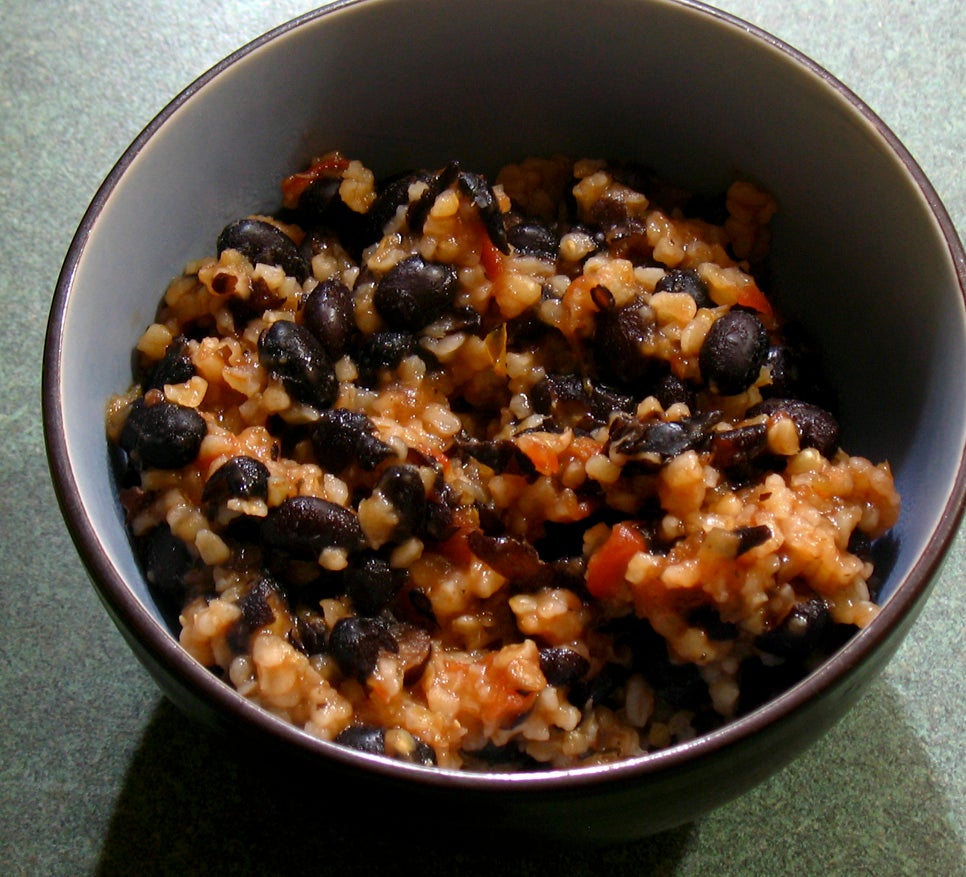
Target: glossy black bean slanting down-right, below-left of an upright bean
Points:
(295, 356)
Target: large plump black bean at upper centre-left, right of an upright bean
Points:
(414, 293)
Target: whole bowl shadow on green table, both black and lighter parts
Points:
(189, 805)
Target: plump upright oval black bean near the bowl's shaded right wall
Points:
(733, 352)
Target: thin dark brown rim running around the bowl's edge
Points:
(164, 649)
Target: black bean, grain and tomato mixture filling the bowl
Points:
(509, 476)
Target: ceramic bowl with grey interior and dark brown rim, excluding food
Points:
(864, 255)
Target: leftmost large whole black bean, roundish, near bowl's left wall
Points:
(164, 435)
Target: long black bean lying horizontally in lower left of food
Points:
(305, 525)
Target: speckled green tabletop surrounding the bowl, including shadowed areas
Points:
(100, 774)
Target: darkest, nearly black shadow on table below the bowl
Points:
(193, 804)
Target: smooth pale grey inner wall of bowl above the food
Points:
(859, 254)
